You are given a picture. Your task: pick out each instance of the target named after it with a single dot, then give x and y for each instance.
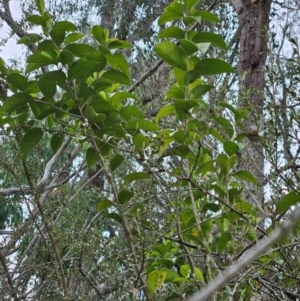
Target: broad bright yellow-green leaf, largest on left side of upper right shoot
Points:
(172, 54)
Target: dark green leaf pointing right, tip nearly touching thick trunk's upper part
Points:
(213, 66)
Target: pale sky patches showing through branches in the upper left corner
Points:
(11, 49)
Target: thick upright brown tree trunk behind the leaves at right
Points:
(254, 20)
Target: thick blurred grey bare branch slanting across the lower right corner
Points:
(249, 257)
